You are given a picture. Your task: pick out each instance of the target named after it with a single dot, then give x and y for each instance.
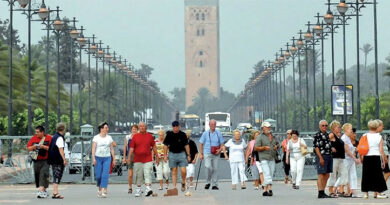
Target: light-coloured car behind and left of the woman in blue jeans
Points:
(75, 162)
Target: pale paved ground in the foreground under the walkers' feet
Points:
(86, 194)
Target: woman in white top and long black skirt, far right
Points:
(373, 179)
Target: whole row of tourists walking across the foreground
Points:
(336, 159)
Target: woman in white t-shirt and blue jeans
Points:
(102, 150)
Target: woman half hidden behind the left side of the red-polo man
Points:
(126, 151)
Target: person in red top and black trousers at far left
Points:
(39, 143)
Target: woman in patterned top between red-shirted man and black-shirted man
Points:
(163, 167)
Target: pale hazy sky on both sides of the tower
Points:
(152, 32)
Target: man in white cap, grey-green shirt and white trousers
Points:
(266, 146)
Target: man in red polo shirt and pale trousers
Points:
(140, 146)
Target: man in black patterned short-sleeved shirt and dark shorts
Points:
(324, 160)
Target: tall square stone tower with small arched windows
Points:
(201, 47)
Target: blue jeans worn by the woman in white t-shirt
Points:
(102, 171)
